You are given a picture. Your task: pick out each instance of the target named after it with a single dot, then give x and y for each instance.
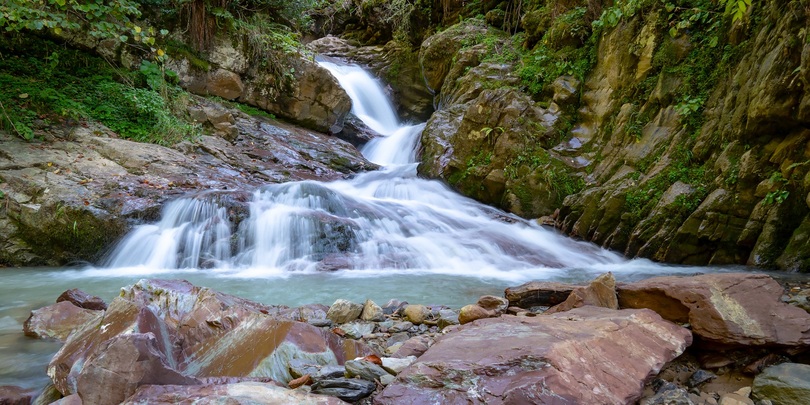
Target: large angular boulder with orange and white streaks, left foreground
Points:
(172, 328)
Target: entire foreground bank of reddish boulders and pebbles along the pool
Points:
(708, 339)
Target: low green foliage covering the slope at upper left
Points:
(42, 85)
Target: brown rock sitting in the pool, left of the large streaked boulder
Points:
(59, 320)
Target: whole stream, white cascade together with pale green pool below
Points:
(379, 235)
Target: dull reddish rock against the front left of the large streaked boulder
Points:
(122, 364)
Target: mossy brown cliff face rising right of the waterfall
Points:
(685, 142)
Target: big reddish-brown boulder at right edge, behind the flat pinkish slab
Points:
(728, 309)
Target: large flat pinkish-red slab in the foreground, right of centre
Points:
(588, 355)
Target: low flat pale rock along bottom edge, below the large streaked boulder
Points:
(242, 393)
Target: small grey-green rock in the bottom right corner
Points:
(787, 383)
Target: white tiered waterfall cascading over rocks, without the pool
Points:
(387, 220)
